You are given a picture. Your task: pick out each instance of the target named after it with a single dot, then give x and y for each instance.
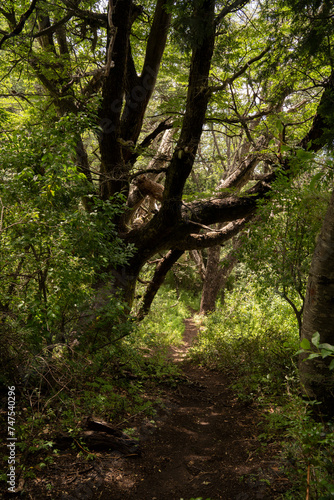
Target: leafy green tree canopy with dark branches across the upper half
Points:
(190, 111)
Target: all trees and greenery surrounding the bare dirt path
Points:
(157, 161)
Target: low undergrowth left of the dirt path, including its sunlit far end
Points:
(62, 386)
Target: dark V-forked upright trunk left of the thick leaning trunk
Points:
(125, 96)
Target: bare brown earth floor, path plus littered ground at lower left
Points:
(204, 444)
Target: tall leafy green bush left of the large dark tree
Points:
(52, 248)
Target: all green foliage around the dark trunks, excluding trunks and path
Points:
(57, 238)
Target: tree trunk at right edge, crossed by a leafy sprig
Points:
(316, 378)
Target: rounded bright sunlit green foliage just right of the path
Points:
(254, 339)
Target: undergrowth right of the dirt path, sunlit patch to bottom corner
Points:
(254, 339)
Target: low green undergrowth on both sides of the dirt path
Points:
(252, 337)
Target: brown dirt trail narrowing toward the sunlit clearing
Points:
(204, 446)
